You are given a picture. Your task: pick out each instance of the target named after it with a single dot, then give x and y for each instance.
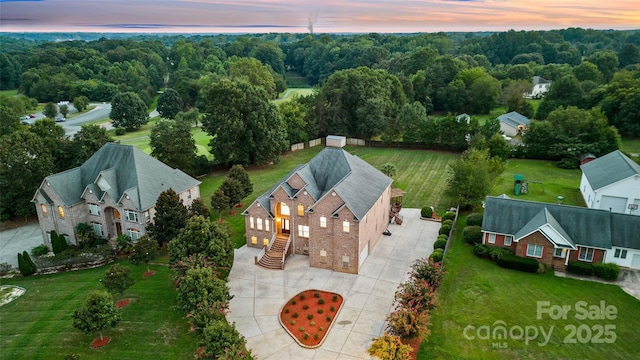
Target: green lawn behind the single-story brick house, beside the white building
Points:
(554, 182)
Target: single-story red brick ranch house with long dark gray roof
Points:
(557, 234)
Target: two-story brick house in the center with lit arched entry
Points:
(333, 209)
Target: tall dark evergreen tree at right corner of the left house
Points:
(171, 216)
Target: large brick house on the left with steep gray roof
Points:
(114, 191)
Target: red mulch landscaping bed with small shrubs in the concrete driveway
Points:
(308, 316)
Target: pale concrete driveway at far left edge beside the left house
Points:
(18, 240)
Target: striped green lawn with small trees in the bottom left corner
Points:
(38, 325)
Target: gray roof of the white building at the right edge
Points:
(608, 169)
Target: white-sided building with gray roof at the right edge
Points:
(612, 182)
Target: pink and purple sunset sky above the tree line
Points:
(258, 16)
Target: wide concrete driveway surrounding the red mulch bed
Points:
(259, 294)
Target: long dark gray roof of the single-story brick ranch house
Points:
(588, 227)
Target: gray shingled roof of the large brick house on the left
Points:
(126, 169)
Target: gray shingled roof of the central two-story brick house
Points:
(334, 169)
